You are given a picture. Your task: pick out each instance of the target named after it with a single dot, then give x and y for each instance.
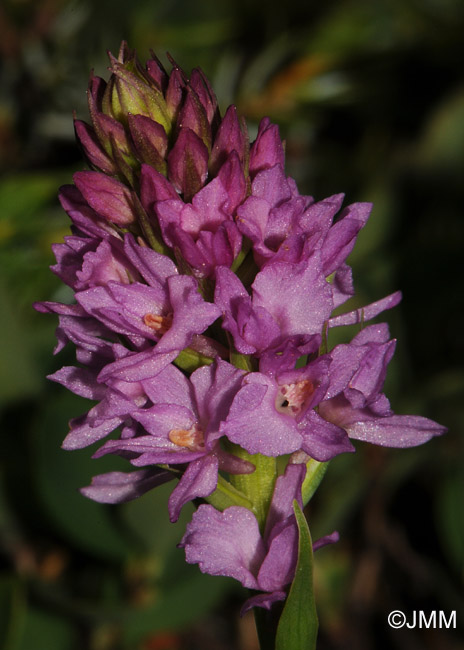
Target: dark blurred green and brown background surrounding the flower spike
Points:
(369, 95)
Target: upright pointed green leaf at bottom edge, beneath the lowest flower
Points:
(298, 624)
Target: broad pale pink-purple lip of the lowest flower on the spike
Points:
(225, 543)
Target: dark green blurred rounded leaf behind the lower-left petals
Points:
(59, 475)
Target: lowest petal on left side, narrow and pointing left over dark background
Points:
(119, 487)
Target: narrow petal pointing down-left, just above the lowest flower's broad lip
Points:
(198, 480)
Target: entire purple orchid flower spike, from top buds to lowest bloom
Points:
(204, 288)
